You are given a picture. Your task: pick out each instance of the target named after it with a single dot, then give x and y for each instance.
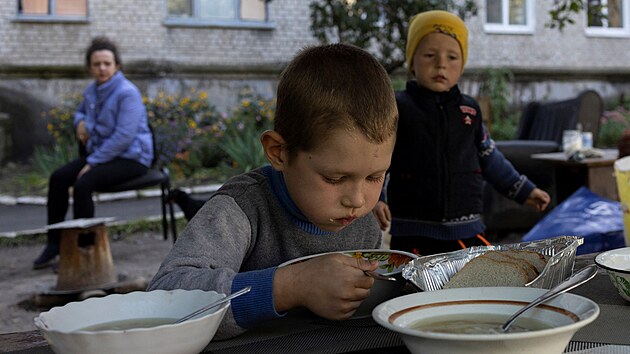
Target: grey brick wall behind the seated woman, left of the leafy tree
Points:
(138, 28)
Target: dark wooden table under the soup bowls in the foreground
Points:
(608, 333)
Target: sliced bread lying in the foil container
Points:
(499, 268)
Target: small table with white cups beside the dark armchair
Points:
(597, 174)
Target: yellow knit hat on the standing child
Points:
(436, 21)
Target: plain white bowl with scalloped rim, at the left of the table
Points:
(63, 326)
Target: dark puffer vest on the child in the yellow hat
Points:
(435, 172)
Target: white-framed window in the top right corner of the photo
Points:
(607, 18)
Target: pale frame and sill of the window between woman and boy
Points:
(196, 21)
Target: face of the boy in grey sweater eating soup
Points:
(340, 180)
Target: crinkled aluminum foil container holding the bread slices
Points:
(430, 273)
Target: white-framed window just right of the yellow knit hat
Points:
(509, 16)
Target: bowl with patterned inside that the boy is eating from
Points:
(391, 263)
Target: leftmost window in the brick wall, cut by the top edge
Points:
(52, 9)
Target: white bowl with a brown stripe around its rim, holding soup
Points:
(564, 315)
